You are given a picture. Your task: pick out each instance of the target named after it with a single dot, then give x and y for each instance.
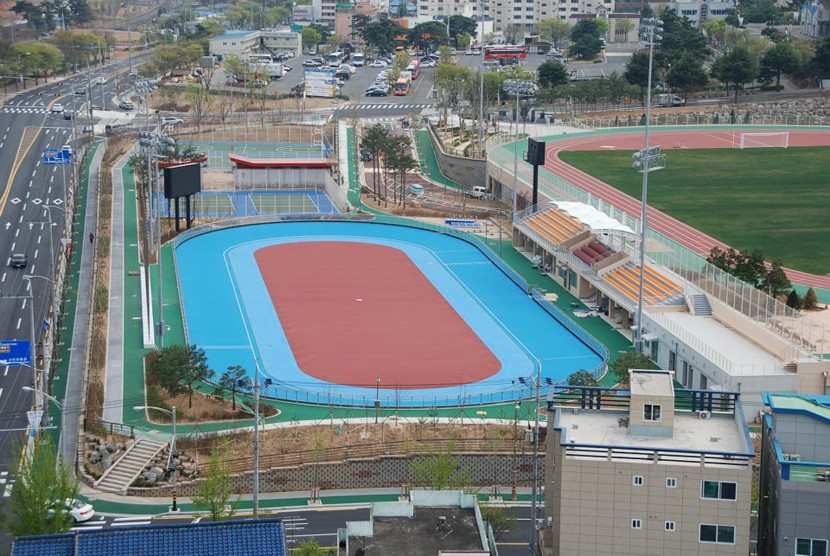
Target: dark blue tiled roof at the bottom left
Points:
(249, 537)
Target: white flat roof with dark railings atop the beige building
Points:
(705, 421)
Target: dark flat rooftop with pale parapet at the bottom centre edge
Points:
(429, 531)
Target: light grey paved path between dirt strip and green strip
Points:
(114, 379)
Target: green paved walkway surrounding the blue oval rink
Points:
(292, 411)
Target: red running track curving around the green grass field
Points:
(660, 221)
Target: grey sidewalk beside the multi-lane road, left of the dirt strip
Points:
(71, 414)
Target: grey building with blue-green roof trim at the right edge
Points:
(794, 516)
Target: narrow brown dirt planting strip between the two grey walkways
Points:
(116, 148)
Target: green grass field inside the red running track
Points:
(775, 200)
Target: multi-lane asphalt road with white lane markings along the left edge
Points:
(26, 186)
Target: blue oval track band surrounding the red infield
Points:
(229, 314)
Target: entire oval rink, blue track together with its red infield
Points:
(347, 312)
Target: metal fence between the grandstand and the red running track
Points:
(664, 251)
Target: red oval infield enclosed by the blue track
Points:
(353, 312)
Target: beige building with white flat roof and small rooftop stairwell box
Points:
(648, 470)
